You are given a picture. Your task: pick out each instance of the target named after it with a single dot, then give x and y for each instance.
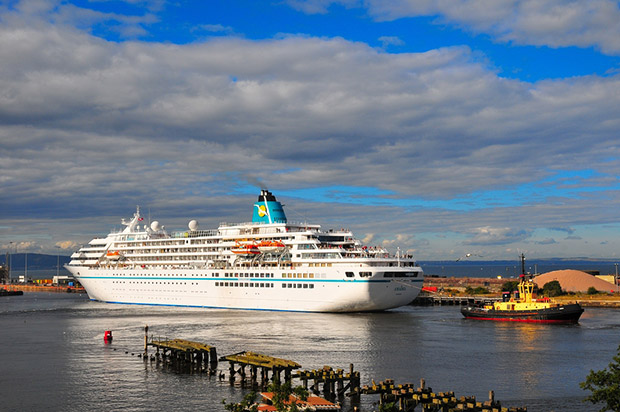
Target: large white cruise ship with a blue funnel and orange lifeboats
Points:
(266, 264)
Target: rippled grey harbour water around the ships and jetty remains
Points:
(52, 355)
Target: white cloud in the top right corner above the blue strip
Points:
(553, 23)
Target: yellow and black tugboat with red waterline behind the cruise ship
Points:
(523, 306)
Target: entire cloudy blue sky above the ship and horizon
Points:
(437, 127)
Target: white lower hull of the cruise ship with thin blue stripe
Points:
(200, 288)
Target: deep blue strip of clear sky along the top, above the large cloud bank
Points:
(186, 22)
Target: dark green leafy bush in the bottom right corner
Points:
(605, 386)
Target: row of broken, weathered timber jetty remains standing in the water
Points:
(331, 383)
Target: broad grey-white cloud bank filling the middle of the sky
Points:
(91, 128)
